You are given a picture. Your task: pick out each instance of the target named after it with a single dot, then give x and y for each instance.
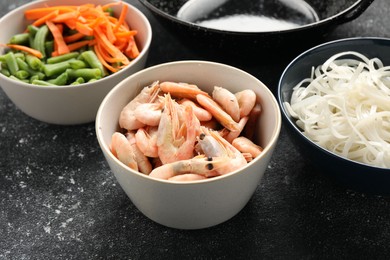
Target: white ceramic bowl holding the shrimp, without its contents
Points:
(197, 204)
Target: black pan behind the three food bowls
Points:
(328, 14)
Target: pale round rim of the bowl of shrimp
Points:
(266, 149)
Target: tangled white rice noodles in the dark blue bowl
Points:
(345, 108)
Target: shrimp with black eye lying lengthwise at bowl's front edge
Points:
(207, 167)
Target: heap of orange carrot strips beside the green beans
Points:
(113, 40)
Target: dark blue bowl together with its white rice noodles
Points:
(335, 101)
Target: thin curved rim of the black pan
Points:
(299, 28)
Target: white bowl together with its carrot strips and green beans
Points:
(60, 58)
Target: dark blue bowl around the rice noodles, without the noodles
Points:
(351, 174)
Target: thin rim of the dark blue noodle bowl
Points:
(289, 119)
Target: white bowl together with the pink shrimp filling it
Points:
(189, 141)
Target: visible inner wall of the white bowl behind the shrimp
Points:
(268, 125)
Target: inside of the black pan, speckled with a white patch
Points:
(297, 12)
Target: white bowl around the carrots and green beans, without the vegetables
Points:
(67, 105)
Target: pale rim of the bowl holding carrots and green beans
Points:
(86, 84)
